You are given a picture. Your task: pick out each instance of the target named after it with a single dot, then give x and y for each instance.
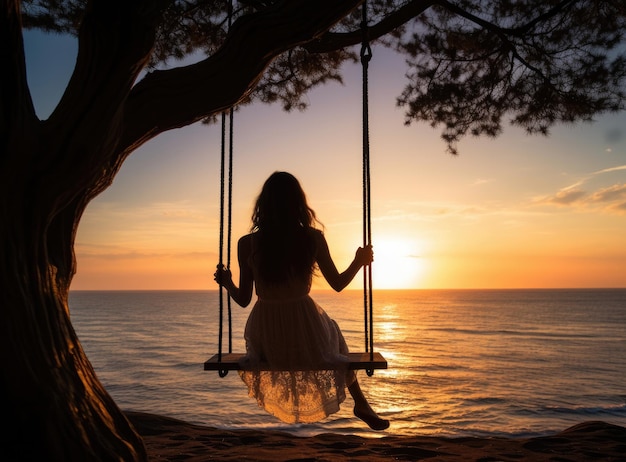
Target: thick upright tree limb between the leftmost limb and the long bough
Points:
(115, 41)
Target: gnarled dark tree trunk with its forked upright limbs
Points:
(53, 405)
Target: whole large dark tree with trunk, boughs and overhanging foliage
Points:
(470, 65)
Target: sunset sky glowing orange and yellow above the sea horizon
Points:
(517, 211)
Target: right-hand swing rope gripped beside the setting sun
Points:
(368, 305)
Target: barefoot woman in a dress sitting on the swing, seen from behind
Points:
(287, 330)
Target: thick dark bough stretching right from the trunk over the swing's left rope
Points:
(169, 99)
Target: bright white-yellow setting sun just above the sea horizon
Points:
(398, 263)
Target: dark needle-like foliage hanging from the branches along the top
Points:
(471, 65)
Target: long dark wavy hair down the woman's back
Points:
(282, 221)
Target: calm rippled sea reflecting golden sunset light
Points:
(461, 362)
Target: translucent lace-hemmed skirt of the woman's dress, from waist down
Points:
(289, 333)
